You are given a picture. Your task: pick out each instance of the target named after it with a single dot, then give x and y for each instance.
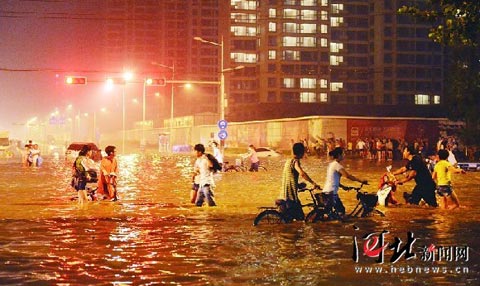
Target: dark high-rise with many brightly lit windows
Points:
(322, 57)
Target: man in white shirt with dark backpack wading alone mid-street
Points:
(203, 169)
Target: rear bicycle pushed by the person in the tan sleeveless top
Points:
(280, 213)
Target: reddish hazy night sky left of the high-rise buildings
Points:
(40, 43)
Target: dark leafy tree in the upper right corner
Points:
(456, 25)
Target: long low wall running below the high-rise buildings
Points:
(279, 133)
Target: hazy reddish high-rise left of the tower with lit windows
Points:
(139, 33)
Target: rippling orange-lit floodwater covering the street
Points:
(153, 235)
